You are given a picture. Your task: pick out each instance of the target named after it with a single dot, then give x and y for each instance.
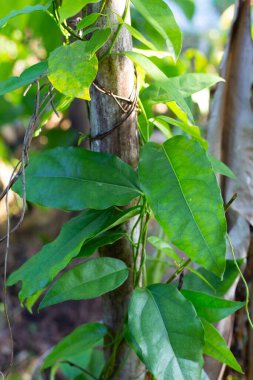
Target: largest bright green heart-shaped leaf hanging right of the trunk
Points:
(184, 195)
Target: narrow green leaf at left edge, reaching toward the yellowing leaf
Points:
(28, 76)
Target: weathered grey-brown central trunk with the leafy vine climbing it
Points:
(116, 74)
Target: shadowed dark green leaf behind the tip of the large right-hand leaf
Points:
(191, 282)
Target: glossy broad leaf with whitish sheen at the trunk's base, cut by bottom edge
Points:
(166, 333)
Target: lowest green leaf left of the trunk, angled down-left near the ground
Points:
(82, 338)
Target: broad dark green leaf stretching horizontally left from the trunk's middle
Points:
(75, 178)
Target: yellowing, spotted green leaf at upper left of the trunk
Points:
(72, 68)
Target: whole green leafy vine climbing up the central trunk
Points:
(169, 329)
